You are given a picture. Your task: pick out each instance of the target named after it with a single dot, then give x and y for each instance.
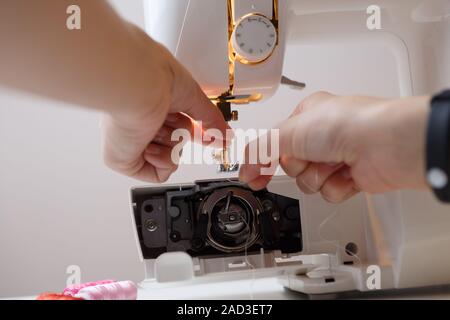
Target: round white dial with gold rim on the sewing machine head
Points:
(254, 38)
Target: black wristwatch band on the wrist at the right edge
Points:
(438, 146)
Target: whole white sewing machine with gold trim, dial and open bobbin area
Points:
(240, 51)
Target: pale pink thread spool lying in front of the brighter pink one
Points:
(123, 290)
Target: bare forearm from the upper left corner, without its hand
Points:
(106, 65)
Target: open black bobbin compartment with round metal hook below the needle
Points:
(221, 225)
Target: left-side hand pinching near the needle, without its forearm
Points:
(138, 143)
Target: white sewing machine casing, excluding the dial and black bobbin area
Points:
(328, 45)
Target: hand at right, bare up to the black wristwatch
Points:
(339, 145)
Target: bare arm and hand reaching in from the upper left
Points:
(108, 65)
